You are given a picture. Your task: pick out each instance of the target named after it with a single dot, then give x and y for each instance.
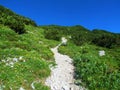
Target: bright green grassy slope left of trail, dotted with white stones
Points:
(34, 56)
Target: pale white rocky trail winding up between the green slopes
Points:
(62, 74)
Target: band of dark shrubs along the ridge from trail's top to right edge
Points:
(80, 35)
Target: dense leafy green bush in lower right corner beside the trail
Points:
(95, 74)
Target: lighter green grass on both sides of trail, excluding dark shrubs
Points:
(33, 53)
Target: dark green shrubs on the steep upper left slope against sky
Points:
(14, 21)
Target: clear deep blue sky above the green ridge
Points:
(92, 14)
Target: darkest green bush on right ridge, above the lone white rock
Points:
(104, 38)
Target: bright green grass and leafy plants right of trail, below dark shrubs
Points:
(96, 72)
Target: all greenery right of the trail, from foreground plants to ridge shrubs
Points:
(96, 72)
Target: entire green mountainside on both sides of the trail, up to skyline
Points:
(25, 53)
